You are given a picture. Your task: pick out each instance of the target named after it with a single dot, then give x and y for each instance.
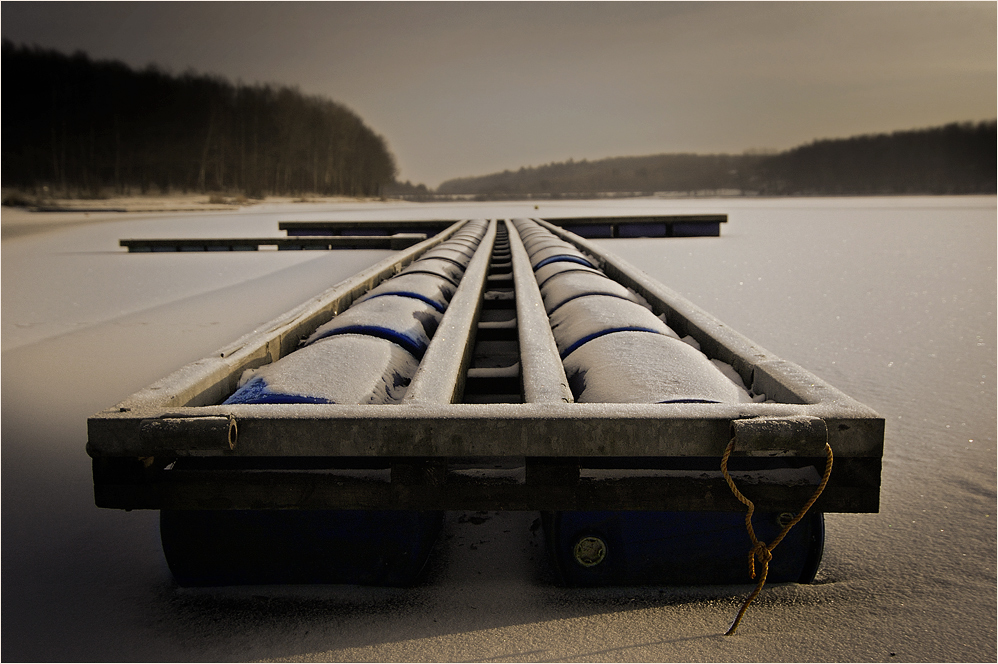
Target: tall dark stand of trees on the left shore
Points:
(83, 127)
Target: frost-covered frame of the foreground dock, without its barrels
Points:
(545, 454)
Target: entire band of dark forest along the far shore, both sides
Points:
(77, 127)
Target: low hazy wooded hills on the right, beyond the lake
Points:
(954, 159)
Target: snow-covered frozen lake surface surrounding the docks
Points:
(891, 300)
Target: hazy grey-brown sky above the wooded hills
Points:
(470, 88)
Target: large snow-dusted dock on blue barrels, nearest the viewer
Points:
(548, 375)
